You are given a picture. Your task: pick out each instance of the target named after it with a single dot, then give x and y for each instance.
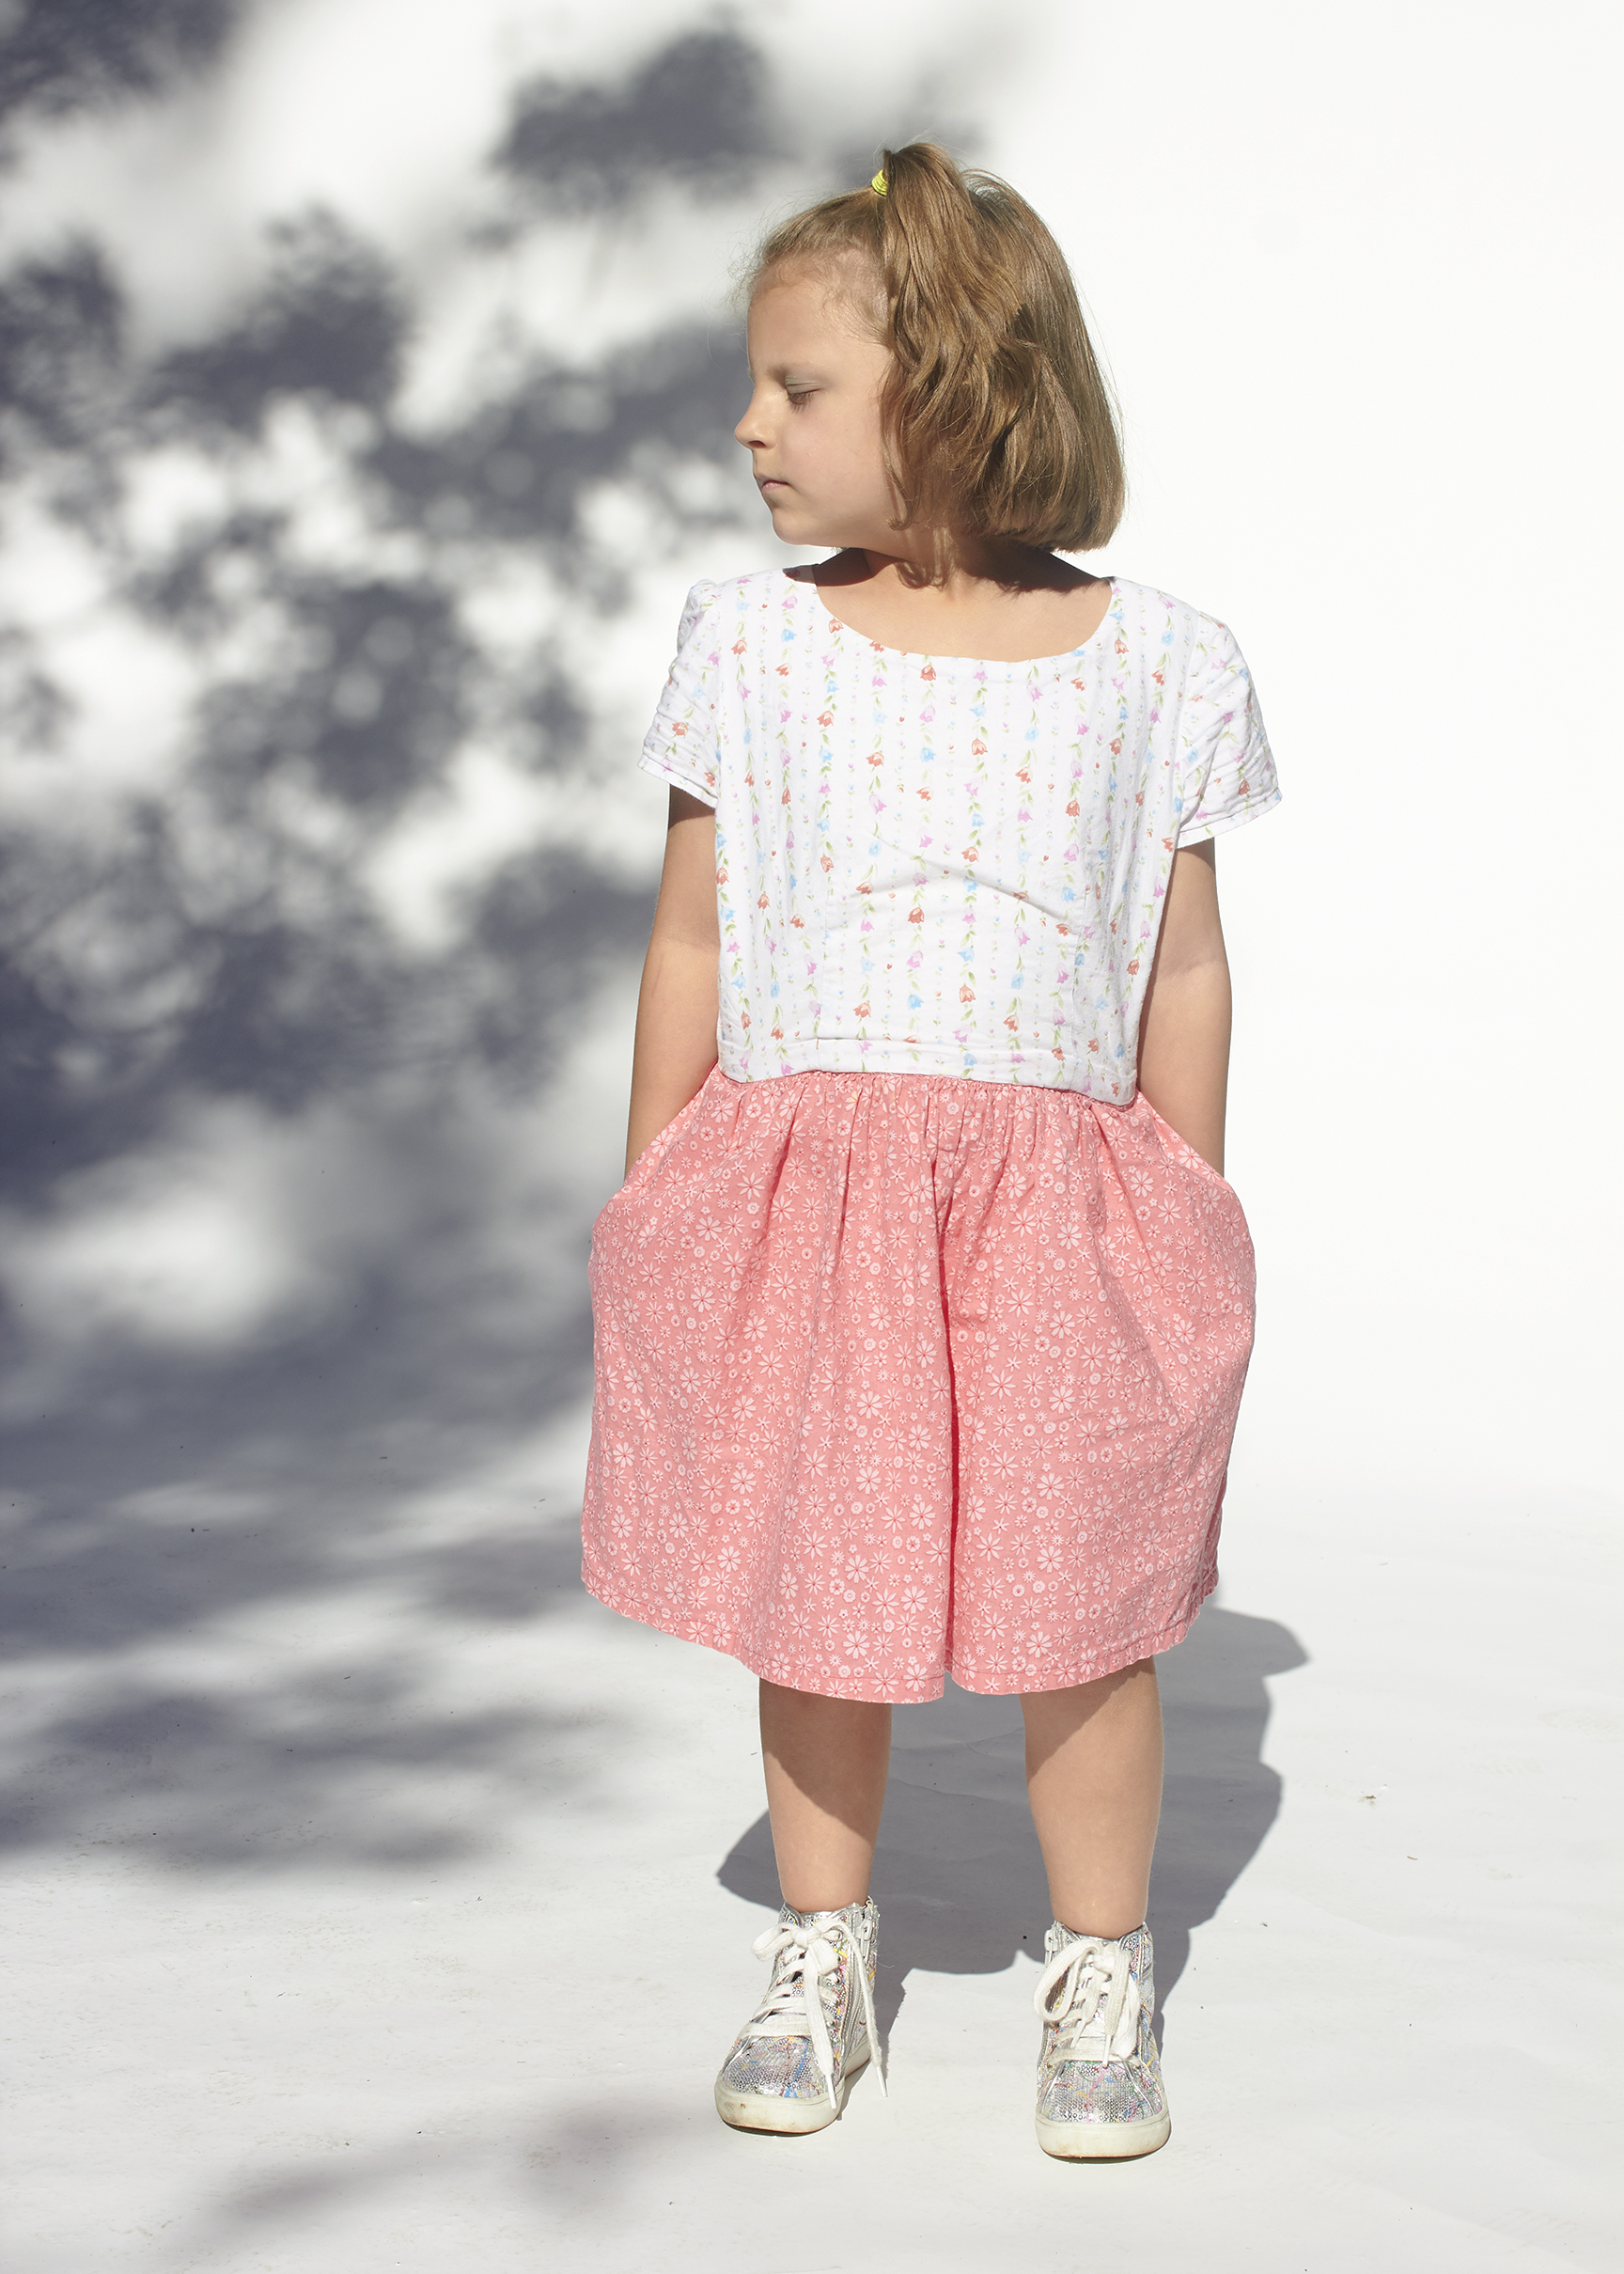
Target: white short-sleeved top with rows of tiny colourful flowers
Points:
(943, 865)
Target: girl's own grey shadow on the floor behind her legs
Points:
(959, 1875)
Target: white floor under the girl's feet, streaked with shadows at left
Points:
(390, 1907)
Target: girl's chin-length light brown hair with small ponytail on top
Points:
(997, 417)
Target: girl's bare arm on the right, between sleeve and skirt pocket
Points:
(1184, 1034)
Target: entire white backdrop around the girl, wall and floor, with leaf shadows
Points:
(370, 376)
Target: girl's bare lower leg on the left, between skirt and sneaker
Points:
(827, 1763)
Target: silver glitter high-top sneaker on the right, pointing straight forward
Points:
(1100, 2077)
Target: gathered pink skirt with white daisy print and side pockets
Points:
(902, 1375)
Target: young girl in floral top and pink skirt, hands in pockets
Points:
(925, 1311)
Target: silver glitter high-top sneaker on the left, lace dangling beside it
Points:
(795, 2059)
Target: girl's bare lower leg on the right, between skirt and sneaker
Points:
(1095, 1779)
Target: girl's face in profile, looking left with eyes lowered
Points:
(813, 424)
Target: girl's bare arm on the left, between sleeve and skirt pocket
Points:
(677, 1009)
